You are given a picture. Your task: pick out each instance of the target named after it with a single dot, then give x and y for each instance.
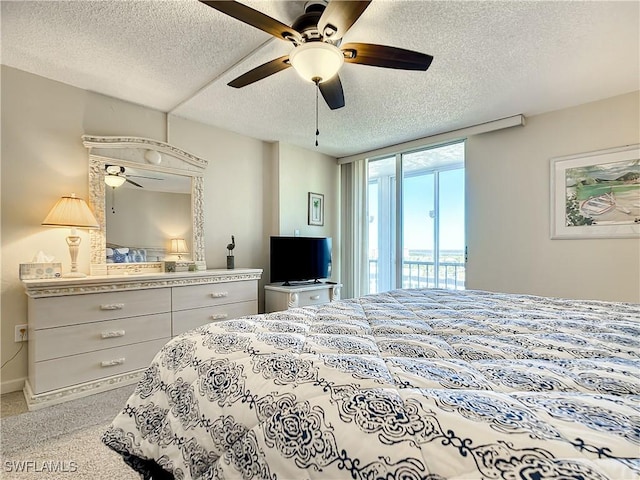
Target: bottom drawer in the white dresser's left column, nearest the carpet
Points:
(67, 371)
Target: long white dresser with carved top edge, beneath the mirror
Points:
(96, 333)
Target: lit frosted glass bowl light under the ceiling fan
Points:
(316, 60)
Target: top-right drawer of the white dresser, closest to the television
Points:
(196, 296)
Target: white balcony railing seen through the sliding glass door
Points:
(421, 274)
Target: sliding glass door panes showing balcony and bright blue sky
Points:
(431, 230)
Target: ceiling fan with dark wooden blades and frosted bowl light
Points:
(318, 53)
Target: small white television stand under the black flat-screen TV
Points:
(278, 297)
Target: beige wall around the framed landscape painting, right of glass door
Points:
(508, 205)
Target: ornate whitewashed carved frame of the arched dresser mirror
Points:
(151, 155)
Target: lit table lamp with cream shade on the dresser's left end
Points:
(72, 212)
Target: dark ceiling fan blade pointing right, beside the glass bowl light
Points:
(385, 56)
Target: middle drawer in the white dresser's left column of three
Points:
(58, 342)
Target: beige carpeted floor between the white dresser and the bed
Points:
(62, 441)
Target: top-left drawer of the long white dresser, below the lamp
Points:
(94, 307)
